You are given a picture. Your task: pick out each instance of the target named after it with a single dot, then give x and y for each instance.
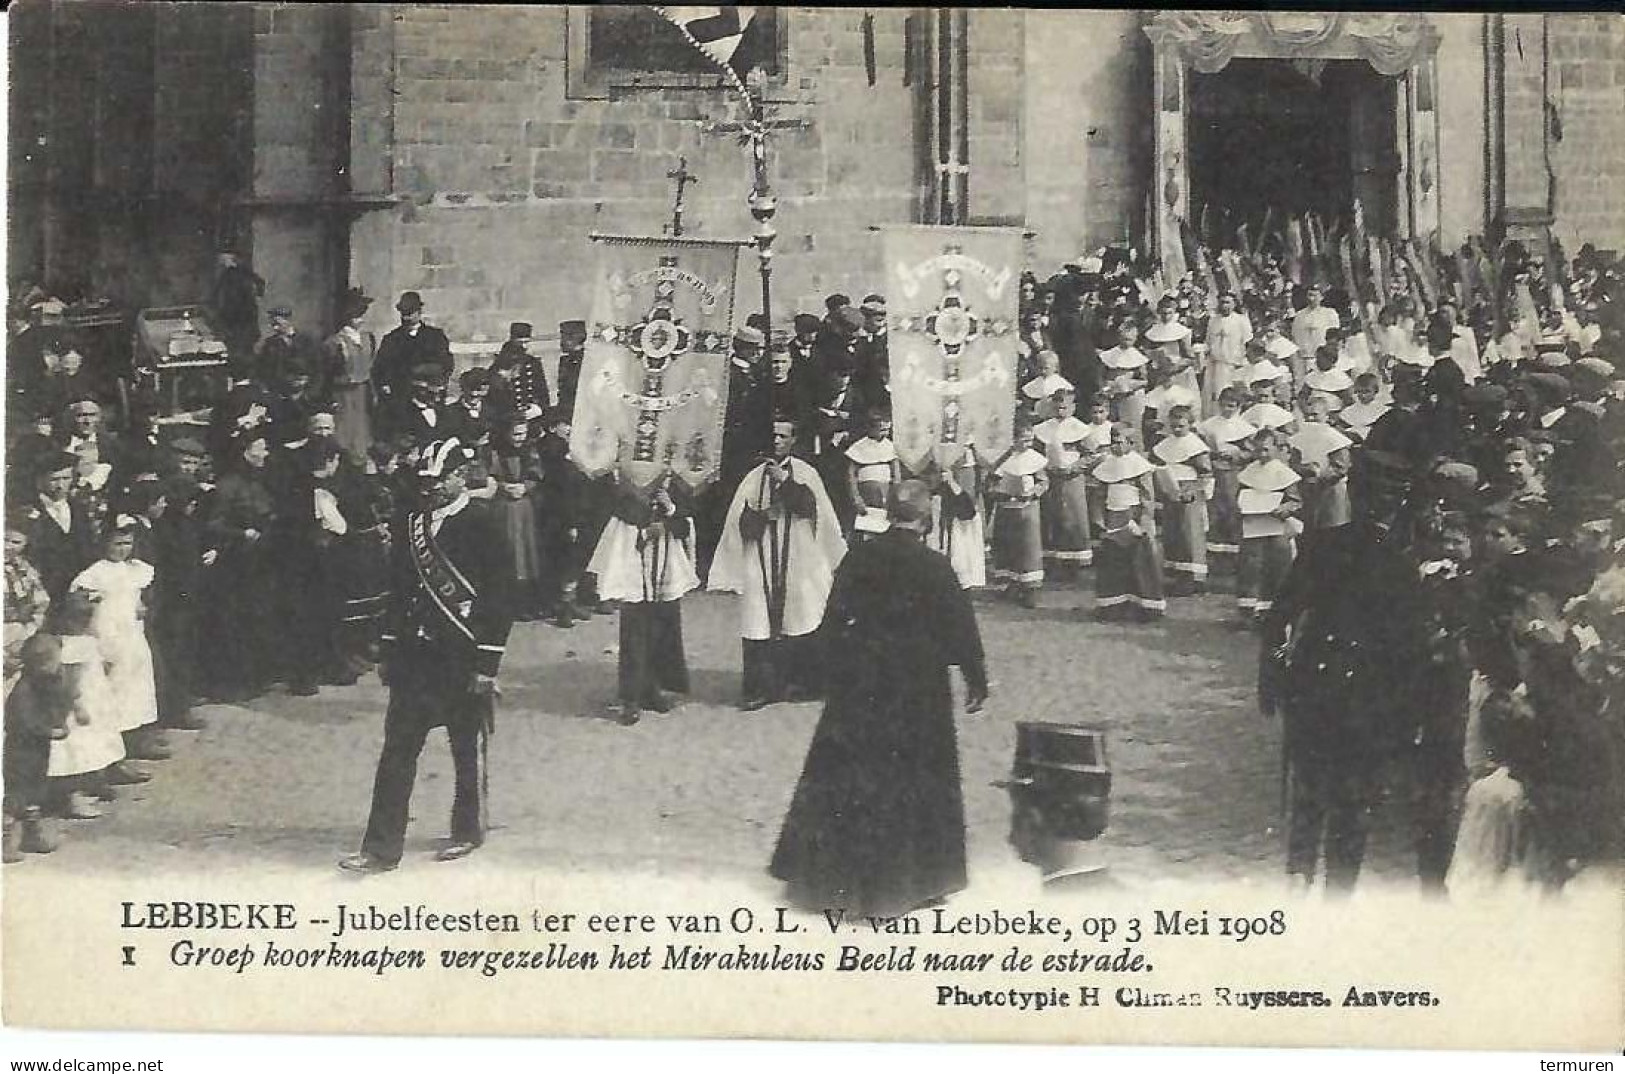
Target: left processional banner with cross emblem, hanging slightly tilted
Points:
(654, 386)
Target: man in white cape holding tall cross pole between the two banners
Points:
(779, 548)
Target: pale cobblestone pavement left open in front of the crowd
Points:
(285, 782)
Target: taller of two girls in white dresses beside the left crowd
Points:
(121, 582)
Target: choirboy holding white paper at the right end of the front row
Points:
(1270, 505)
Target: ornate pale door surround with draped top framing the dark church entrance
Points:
(1402, 46)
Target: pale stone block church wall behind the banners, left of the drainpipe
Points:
(503, 175)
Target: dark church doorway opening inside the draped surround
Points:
(1293, 137)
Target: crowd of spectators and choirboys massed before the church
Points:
(1166, 438)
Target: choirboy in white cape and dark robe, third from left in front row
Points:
(1129, 566)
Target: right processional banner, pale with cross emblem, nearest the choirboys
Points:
(953, 295)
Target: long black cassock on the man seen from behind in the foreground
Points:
(878, 820)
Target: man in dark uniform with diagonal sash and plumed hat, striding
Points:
(443, 644)
